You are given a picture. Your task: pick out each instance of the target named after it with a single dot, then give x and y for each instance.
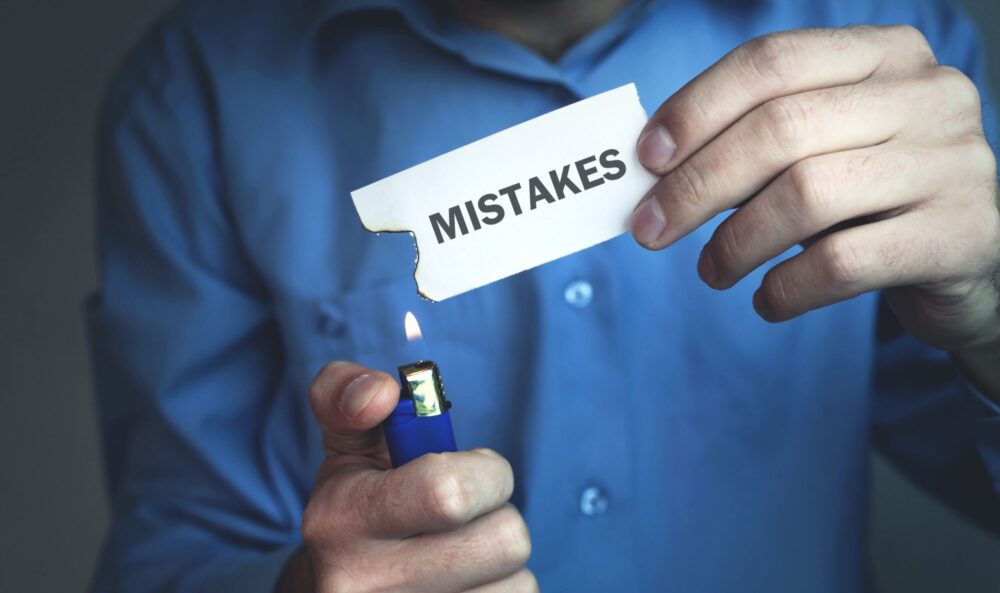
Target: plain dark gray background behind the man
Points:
(54, 60)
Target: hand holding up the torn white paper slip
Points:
(858, 145)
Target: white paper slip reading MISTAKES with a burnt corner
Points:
(524, 196)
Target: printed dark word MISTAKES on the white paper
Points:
(491, 209)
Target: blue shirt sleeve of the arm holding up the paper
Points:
(926, 418)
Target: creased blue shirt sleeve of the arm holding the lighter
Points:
(184, 348)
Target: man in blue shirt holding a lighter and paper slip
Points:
(632, 407)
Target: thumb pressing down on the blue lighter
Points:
(350, 402)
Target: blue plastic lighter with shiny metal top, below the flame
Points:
(420, 423)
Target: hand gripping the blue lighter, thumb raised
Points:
(440, 523)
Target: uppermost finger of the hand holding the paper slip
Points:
(766, 68)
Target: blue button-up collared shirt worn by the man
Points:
(663, 437)
